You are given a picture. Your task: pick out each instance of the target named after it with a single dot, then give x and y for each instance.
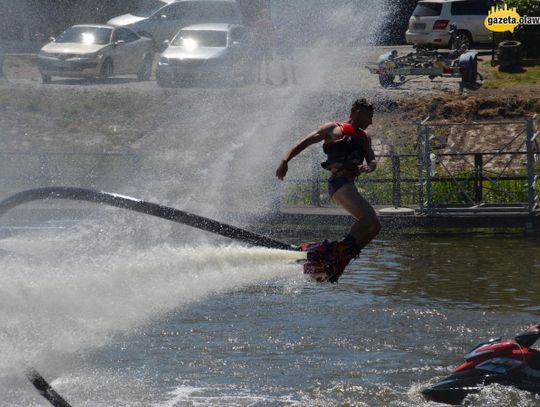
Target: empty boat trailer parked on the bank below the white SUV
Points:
(426, 63)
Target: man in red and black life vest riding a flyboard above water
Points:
(349, 153)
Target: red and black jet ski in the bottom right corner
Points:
(509, 362)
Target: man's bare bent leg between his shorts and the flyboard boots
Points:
(367, 224)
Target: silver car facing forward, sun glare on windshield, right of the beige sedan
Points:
(206, 51)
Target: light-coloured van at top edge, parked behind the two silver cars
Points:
(162, 19)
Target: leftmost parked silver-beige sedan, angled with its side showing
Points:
(90, 51)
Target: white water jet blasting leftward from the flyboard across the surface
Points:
(48, 308)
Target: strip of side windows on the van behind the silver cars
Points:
(201, 10)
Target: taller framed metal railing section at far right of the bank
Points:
(472, 173)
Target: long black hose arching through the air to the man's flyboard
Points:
(137, 205)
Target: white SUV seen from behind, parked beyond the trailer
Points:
(430, 21)
